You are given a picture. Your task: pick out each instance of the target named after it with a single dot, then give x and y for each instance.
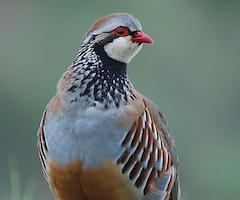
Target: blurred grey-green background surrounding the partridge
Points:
(192, 73)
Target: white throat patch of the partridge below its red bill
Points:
(122, 49)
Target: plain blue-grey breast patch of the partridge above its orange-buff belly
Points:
(90, 135)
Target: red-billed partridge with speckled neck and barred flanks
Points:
(99, 138)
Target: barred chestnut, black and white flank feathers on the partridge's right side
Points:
(146, 159)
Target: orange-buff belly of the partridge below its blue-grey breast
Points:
(73, 182)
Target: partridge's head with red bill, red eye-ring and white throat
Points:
(118, 35)
